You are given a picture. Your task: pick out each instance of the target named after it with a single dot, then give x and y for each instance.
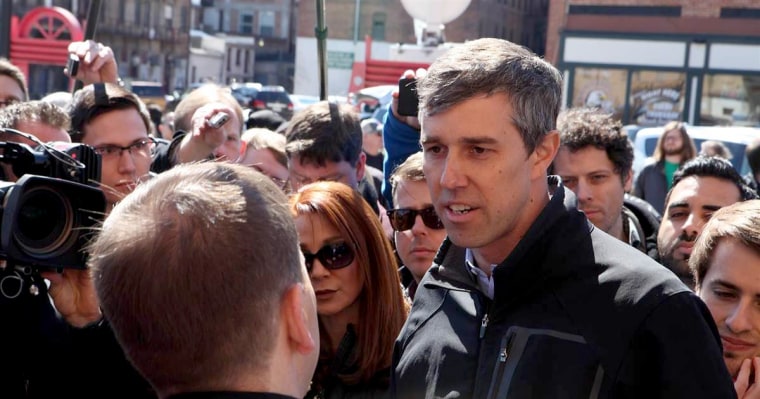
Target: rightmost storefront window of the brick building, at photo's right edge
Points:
(730, 100)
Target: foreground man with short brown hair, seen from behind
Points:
(245, 324)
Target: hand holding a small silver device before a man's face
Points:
(201, 142)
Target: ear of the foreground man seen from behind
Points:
(295, 310)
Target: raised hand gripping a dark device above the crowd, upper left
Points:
(97, 63)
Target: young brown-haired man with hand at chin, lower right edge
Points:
(726, 267)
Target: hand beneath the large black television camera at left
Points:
(73, 293)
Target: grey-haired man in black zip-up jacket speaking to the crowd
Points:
(526, 299)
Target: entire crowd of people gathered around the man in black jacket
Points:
(495, 245)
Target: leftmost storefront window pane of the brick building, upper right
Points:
(600, 88)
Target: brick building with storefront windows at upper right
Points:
(652, 61)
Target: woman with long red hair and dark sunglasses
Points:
(360, 302)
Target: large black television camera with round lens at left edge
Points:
(49, 214)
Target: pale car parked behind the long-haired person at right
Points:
(736, 138)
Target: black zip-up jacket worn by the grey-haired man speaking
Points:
(576, 314)
